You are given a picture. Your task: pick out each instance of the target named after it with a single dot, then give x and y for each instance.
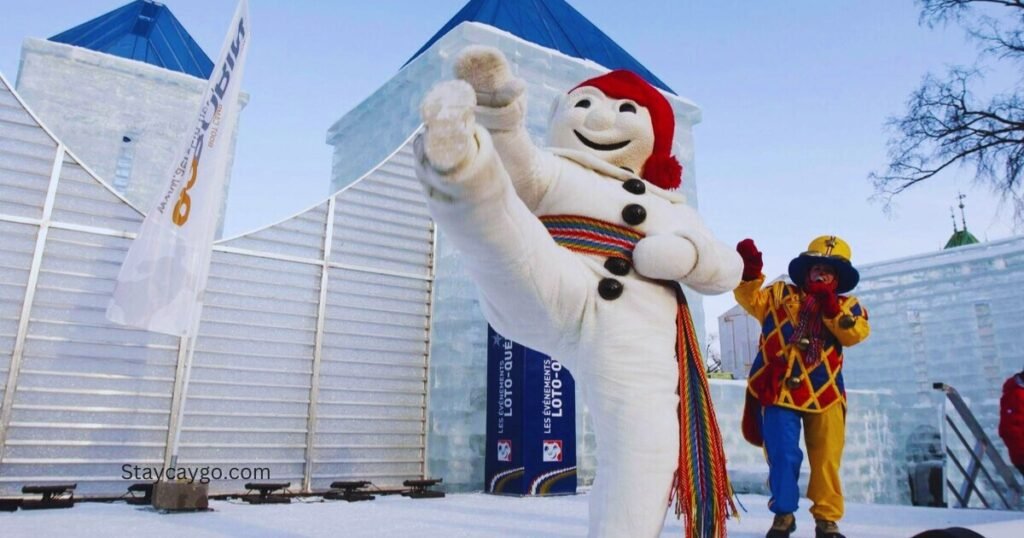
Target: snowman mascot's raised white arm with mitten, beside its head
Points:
(502, 110)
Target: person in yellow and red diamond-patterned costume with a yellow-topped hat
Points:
(797, 377)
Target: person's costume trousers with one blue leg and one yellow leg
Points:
(825, 436)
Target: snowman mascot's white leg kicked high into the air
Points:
(532, 291)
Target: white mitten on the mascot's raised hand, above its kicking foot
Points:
(488, 71)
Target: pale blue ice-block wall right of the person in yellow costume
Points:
(955, 317)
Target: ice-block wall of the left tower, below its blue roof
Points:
(126, 120)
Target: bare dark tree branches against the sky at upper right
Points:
(947, 126)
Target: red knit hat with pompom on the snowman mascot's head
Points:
(661, 169)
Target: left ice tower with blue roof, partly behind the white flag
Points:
(121, 91)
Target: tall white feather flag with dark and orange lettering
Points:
(163, 276)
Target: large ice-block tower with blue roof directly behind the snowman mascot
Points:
(553, 48)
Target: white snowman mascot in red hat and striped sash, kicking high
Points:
(577, 252)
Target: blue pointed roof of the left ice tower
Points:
(145, 31)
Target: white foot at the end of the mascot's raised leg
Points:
(448, 114)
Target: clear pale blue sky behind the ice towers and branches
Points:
(795, 96)
